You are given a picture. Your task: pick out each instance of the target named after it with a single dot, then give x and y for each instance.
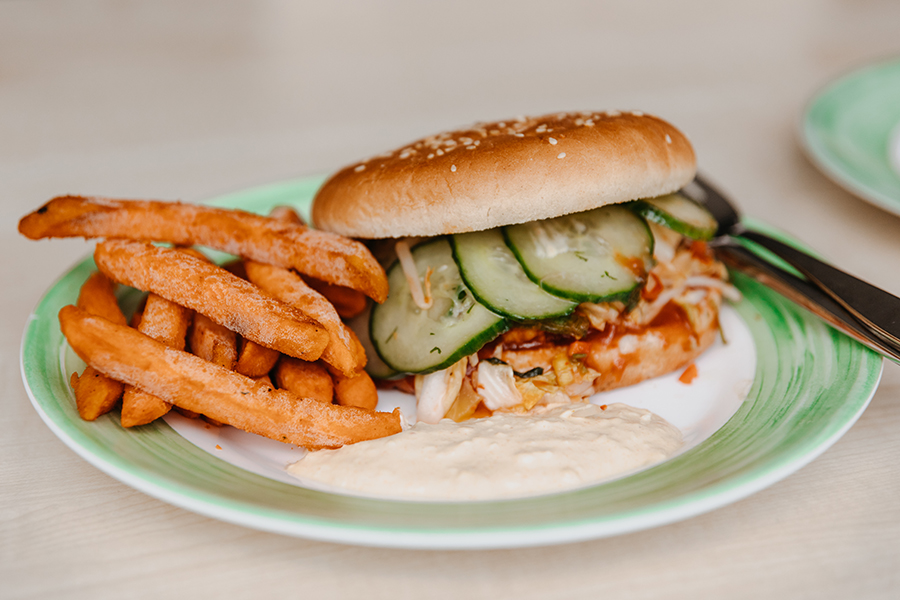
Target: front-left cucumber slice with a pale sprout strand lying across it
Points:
(412, 340)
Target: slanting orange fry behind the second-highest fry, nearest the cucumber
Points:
(343, 350)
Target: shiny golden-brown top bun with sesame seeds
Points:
(506, 172)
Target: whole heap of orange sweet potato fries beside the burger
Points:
(208, 337)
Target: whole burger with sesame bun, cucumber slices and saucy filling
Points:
(531, 261)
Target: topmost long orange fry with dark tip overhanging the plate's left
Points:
(322, 255)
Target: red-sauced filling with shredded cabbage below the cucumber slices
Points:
(599, 347)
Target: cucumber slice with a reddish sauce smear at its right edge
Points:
(596, 256)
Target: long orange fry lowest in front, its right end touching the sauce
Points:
(200, 386)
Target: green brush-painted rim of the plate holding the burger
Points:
(810, 385)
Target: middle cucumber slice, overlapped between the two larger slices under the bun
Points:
(495, 277)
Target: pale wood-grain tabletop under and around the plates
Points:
(177, 100)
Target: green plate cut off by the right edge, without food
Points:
(851, 131)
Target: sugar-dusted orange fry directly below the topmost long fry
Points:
(214, 292)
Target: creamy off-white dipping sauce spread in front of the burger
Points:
(503, 456)
